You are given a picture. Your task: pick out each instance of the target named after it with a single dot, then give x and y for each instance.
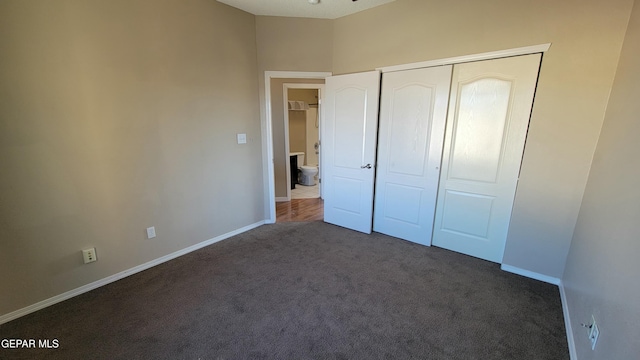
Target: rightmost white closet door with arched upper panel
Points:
(489, 112)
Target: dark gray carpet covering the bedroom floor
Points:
(306, 291)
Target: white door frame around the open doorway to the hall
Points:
(268, 172)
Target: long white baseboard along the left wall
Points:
(109, 279)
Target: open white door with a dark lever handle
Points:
(349, 144)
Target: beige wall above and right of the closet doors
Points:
(575, 79)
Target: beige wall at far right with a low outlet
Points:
(601, 277)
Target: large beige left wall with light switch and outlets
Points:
(116, 115)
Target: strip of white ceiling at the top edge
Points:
(324, 9)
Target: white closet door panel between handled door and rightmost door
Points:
(413, 112)
